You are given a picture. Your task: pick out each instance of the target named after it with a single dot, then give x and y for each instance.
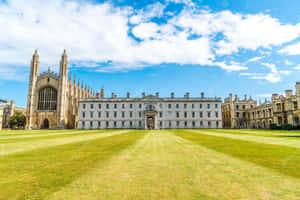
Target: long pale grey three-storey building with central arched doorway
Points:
(150, 112)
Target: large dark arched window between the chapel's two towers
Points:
(47, 99)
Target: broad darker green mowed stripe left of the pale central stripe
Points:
(36, 174)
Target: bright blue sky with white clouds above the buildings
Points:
(215, 46)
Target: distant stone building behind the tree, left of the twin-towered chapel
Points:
(8, 109)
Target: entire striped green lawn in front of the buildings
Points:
(149, 165)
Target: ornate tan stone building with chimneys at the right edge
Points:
(246, 113)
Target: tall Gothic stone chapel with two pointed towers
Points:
(53, 98)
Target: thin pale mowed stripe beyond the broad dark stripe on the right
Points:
(266, 140)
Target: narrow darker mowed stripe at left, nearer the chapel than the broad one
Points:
(50, 136)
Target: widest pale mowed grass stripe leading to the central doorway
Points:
(164, 166)
